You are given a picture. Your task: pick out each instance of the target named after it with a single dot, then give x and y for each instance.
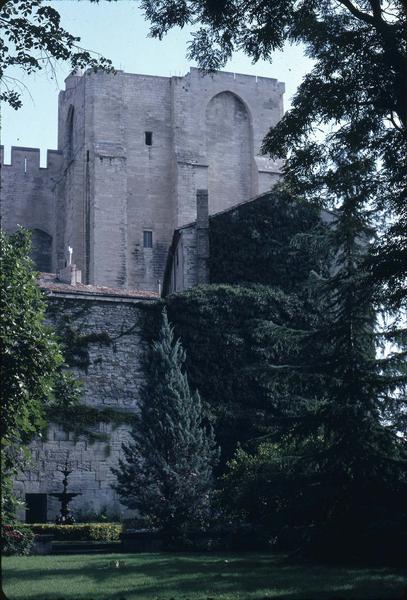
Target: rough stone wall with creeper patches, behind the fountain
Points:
(103, 347)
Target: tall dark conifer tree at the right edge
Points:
(355, 469)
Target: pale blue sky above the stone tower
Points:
(118, 31)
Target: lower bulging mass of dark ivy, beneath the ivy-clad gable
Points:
(238, 340)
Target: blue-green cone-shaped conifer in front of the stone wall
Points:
(166, 473)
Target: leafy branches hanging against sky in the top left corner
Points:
(32, 38)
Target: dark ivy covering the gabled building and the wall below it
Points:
(236, 331)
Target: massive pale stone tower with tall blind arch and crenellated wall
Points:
(132, 152)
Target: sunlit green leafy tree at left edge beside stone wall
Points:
(31, 360)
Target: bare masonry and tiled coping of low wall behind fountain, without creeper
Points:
(111, 376)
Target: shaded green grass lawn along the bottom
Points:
(193, 577)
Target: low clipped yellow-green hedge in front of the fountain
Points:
(97, 532)
